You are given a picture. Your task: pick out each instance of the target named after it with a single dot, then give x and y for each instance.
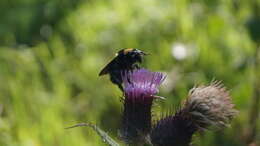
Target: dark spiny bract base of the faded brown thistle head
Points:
(174, 130)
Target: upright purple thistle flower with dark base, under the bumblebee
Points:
(140, 87)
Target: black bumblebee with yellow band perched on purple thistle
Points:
(125, 60)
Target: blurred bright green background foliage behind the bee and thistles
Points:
(51, 52)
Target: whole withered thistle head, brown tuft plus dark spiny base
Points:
(205, 107)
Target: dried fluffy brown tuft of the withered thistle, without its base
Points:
(210, 106)
